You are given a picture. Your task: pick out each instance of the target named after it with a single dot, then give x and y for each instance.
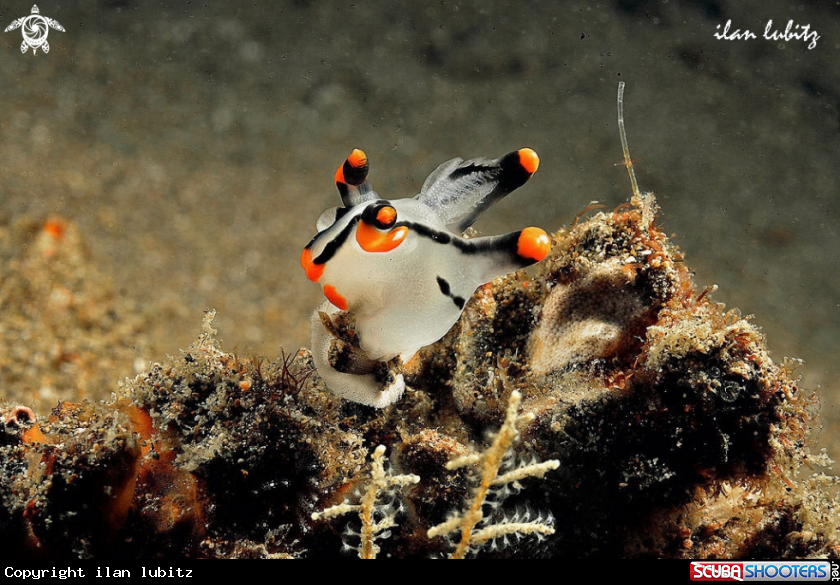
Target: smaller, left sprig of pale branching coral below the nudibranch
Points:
(376, 518)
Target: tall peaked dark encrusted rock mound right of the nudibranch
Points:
(646, 392)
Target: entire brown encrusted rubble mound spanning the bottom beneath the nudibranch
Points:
(675, 433)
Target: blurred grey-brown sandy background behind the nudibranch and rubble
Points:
(194, 143)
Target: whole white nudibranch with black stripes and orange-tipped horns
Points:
(397, 274)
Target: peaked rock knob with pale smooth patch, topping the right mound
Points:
(608, 282)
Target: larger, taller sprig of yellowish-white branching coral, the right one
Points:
(474, 527)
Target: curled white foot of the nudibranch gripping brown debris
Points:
(347, 370)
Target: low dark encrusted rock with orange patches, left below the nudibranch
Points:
(204, 446)
